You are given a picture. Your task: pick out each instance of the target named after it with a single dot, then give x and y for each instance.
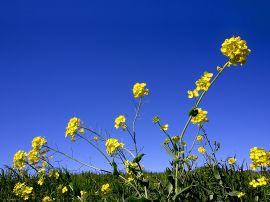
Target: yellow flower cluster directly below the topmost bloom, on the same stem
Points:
(202, 84)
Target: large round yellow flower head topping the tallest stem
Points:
(236, 50)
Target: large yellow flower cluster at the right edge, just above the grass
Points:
(259, 157)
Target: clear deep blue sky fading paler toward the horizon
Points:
(64, 58)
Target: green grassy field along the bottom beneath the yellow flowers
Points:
(207, 184)
